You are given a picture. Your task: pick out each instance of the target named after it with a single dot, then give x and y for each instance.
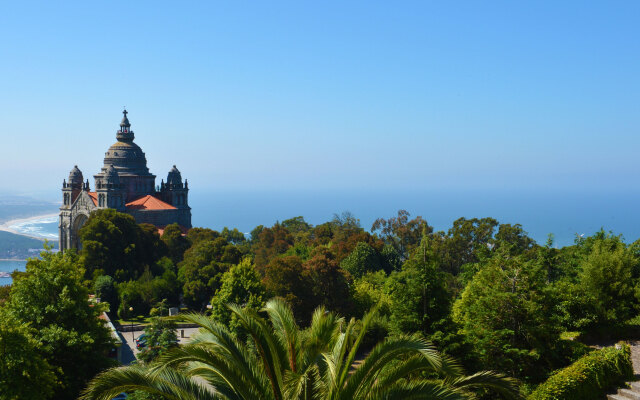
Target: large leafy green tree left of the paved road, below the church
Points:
(51, 299)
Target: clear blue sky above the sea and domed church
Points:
(540, 95)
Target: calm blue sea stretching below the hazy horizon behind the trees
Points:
(566, 214)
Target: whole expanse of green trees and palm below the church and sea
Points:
(480, 309)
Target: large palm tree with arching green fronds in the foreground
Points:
(279, 361)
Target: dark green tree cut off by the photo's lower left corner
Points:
(24, 373)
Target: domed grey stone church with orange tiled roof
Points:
(125, 184)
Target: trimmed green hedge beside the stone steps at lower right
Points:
(589, 377)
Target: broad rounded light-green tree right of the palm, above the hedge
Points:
(507, 313)
